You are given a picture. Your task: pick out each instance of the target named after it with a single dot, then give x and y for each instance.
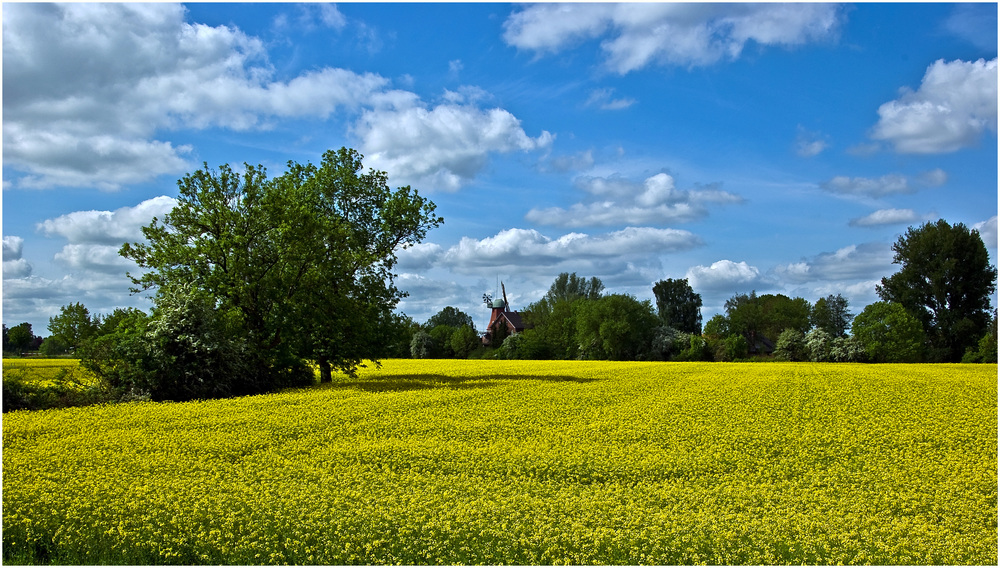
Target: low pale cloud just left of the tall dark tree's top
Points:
(851, 263)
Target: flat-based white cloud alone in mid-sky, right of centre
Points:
(619, 201)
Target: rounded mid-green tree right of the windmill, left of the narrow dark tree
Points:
(617, 327)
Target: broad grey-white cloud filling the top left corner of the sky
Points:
(87, 86)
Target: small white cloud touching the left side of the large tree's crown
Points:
(107, 227)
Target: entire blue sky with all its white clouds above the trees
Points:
(781, 148)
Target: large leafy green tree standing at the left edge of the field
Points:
(302, 261)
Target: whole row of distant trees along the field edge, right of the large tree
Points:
(934, 309)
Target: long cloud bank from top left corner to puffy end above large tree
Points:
(88, 86)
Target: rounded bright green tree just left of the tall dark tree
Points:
(889, 333)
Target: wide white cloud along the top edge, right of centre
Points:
(639, 35)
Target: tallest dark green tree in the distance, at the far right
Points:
(946, 282)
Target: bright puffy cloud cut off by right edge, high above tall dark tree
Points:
(955, 104)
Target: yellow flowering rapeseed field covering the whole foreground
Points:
(517, 462)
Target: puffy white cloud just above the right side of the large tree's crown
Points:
(443, 147)
